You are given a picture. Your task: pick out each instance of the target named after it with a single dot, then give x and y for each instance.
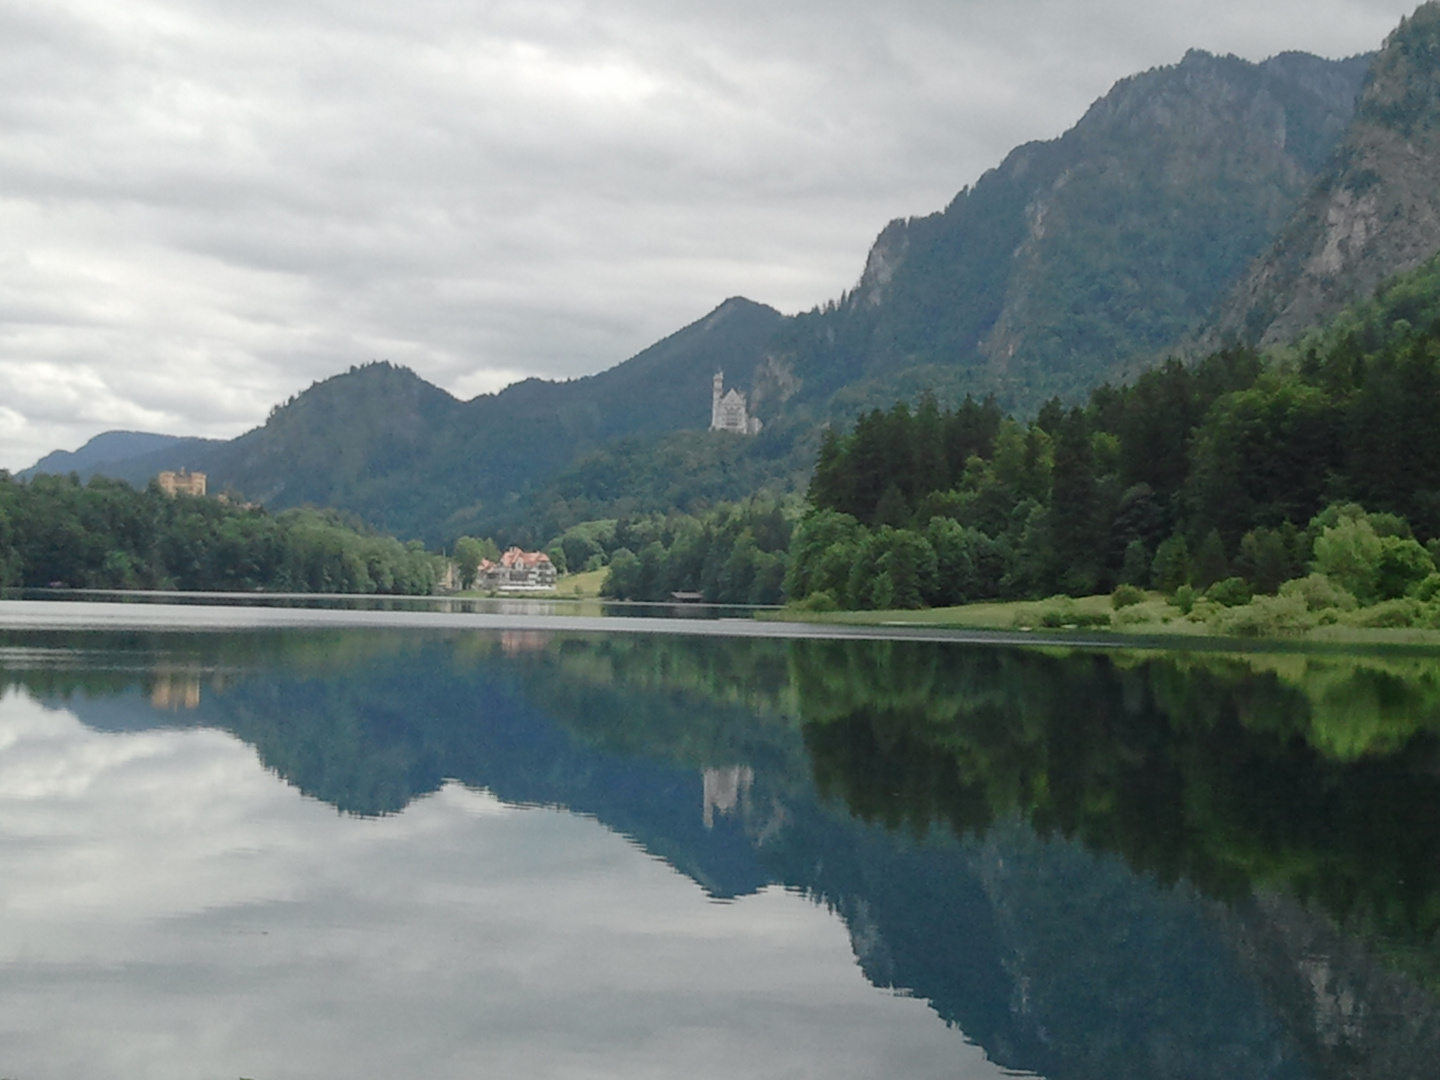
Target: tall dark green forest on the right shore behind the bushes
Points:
(1232, 469)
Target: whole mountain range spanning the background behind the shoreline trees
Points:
(1206, 204)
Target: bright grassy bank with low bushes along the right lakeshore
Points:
(1151, 618)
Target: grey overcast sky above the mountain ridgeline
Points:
(208, 207)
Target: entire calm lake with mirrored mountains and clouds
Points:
(303, 847)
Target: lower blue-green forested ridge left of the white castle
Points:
(405, 456)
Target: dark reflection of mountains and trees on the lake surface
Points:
(1089, 865)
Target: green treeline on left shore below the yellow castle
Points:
(106, 535)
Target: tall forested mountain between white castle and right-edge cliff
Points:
(1110, 243)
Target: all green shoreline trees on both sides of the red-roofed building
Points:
(1242, 495)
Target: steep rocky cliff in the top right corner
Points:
(1374, 214)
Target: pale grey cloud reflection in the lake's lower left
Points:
(175, 911)
